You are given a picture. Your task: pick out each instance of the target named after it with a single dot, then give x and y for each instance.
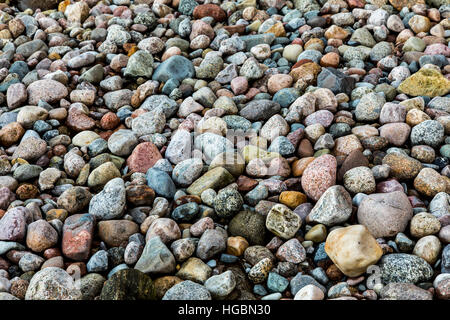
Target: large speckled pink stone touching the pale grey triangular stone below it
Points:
(319, 175)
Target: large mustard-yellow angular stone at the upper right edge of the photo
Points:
(425, 82)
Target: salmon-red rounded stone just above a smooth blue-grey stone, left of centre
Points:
(144, 156)
